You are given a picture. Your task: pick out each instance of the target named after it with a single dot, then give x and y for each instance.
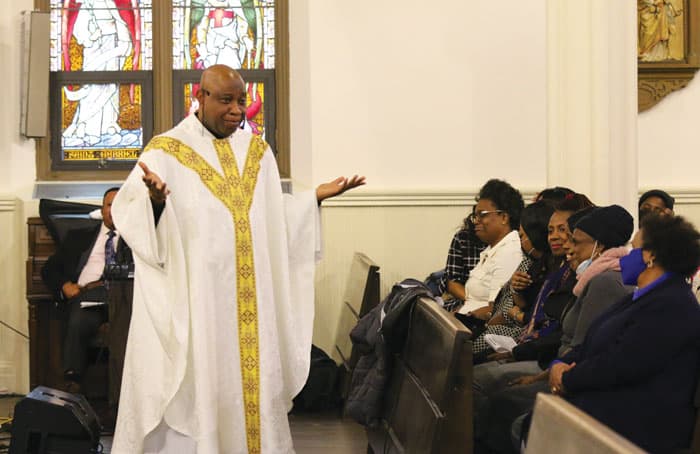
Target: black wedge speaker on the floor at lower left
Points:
(49, 421)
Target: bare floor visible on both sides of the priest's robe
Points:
(313, 433)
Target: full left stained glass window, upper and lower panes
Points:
(100, 51)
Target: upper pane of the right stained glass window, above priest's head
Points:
(238, 33)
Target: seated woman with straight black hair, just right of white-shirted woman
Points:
(522, 290)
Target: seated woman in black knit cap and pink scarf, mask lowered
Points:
(596, 245)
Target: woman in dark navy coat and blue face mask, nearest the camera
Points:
(637, 368)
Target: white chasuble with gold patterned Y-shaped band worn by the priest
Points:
(220, 334)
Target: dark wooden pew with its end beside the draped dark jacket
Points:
(428, 406)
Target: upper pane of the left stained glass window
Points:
(101, 35)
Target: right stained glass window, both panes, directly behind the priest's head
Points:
(237, 33)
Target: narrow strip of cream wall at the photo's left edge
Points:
(17, 174)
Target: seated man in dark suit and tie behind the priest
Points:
(75, 275)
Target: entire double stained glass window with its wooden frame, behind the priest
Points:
(104, 74)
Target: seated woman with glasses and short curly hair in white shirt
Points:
(496, 218)
